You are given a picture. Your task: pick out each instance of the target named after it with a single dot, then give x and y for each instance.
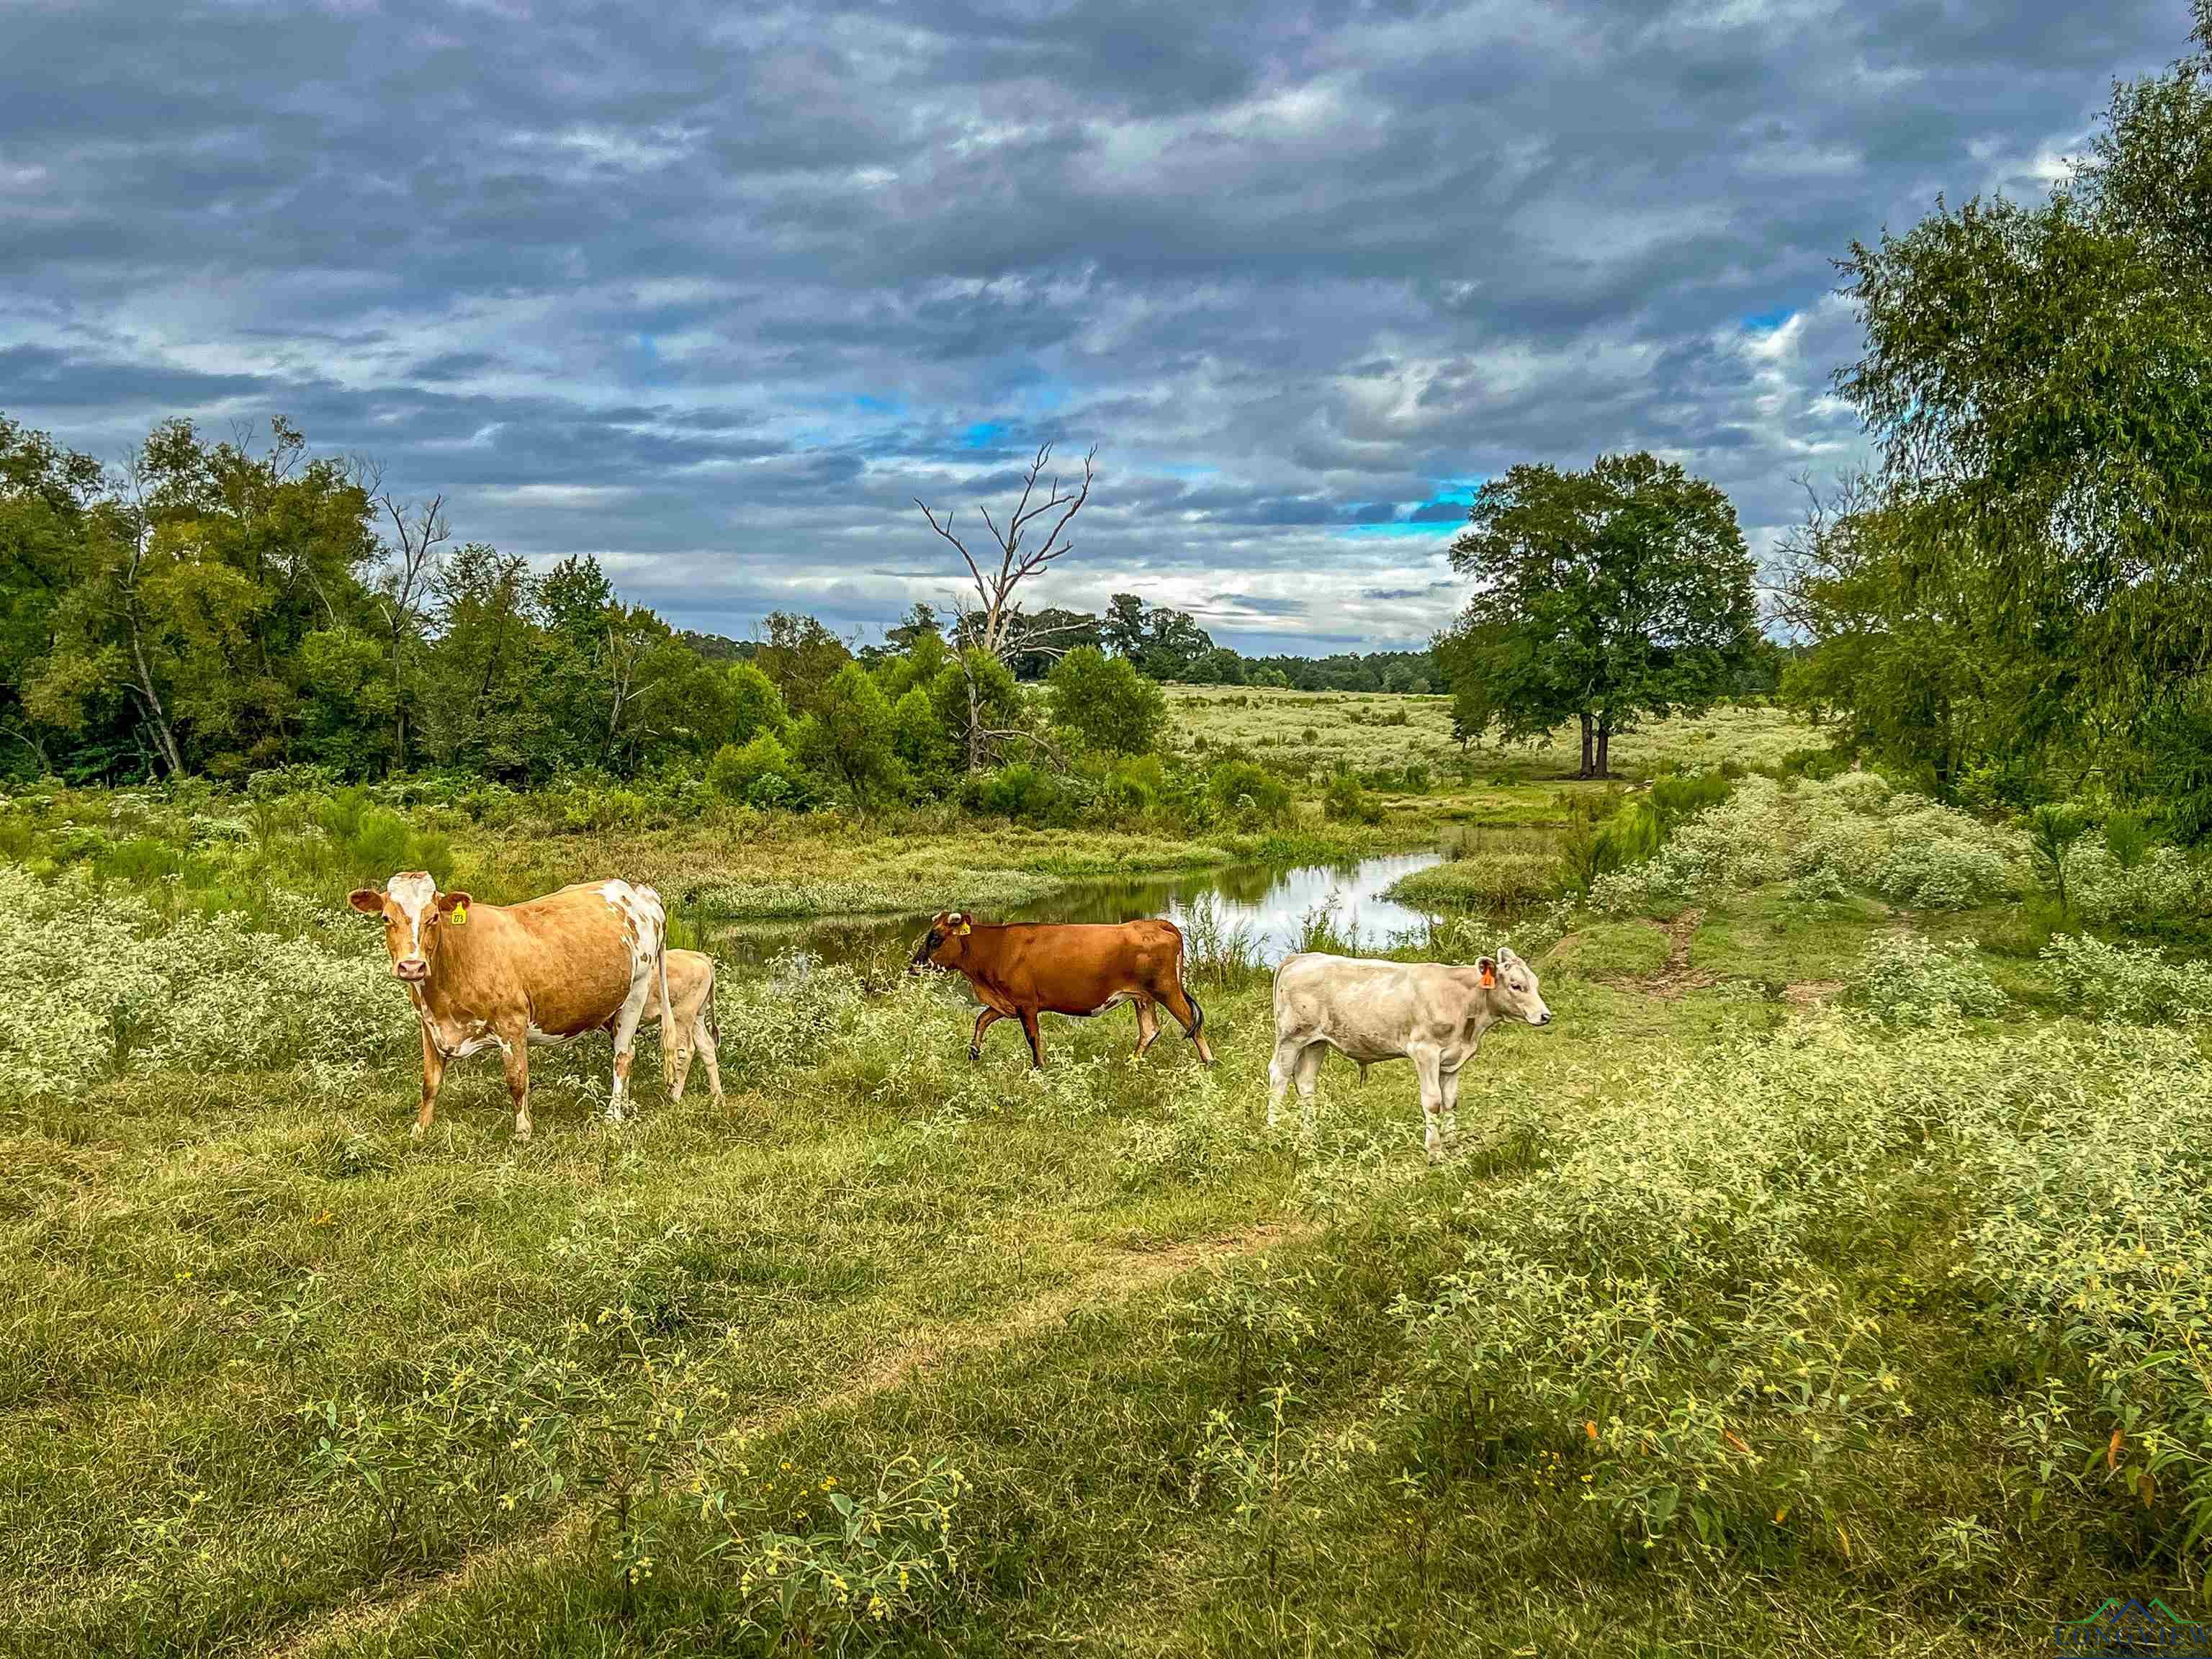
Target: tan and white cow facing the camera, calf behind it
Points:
(505, 977)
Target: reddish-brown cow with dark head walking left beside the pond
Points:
(1063, 968)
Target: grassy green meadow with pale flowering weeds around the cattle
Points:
(1828, 1277)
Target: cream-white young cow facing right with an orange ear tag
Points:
(1426, 1012)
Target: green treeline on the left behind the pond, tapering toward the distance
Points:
(222, 609)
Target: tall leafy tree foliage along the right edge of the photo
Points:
(2041, 532)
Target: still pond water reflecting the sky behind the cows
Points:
(1271, 906)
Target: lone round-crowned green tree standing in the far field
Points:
(1603, 596)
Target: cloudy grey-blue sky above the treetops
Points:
(716, 291)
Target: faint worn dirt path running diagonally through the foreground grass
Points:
(1116, 1277)
